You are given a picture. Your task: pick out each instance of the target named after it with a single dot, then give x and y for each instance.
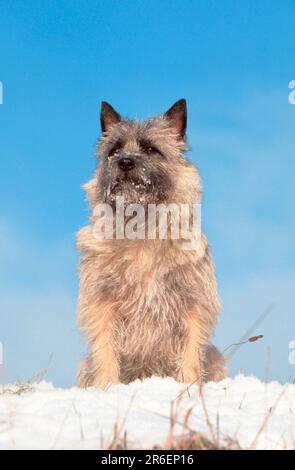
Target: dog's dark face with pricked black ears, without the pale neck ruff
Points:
(137, 159)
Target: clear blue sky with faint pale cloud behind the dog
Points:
(232, 61)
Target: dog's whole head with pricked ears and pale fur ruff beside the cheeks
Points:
(144, 162)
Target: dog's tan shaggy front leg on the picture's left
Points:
(100, 368)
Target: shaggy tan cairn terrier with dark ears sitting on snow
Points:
(147, 307)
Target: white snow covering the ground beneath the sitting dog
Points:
(258, 415)
